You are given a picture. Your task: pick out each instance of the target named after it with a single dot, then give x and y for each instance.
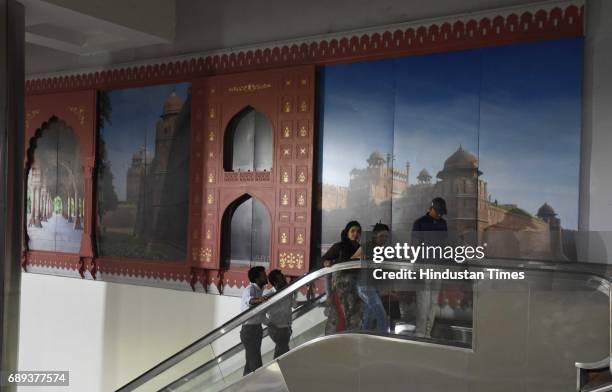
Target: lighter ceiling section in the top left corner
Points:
(91, 27)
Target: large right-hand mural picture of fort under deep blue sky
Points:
(480, 128)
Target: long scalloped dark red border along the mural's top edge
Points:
(437, 37)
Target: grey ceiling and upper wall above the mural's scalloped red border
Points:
(70, 34)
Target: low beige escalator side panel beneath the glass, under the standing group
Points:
(358, 362)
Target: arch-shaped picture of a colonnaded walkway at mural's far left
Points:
(55, 189)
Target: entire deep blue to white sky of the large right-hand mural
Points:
(517, 108)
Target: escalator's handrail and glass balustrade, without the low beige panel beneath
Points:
(213, 362)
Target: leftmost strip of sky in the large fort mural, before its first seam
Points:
(356, 108)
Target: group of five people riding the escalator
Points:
(353, 304)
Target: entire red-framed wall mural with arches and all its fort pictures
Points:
(431, 119)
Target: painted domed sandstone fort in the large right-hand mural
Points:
(378, 193)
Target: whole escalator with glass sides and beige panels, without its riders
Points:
(475, 353)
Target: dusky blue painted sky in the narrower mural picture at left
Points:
(135, 113)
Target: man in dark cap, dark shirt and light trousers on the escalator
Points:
(429, 230)
